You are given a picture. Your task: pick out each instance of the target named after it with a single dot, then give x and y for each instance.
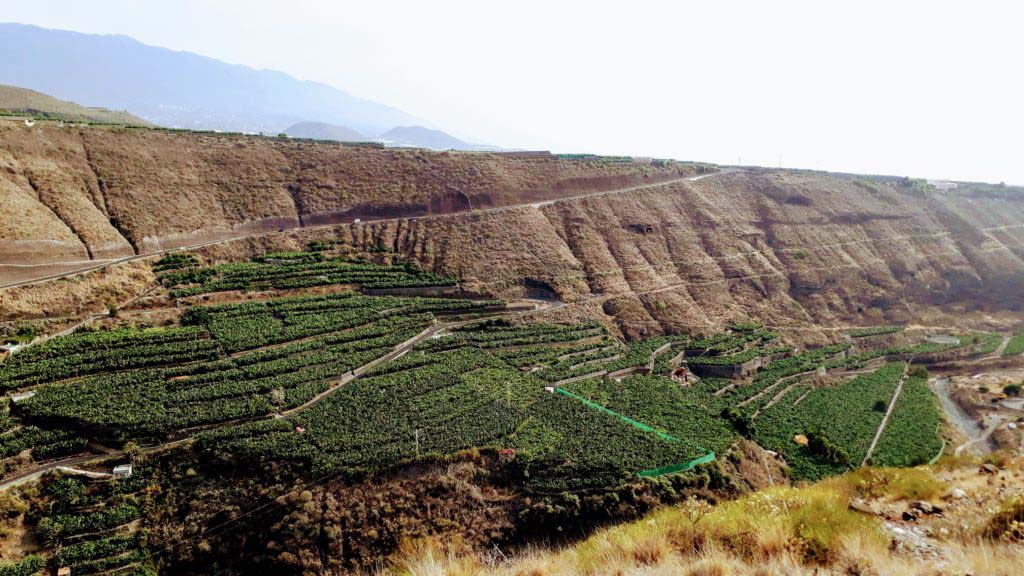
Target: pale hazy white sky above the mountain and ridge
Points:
(930, 90)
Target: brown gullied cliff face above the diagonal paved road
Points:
(74, 194)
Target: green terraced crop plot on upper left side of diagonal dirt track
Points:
(269, 357)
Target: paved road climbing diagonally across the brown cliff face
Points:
(99, 265)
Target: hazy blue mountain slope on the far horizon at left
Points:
(176, 89)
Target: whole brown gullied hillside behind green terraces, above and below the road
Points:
(790, 249)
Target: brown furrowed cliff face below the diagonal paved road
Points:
(790, 250)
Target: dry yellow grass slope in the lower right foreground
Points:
(953, 519)
